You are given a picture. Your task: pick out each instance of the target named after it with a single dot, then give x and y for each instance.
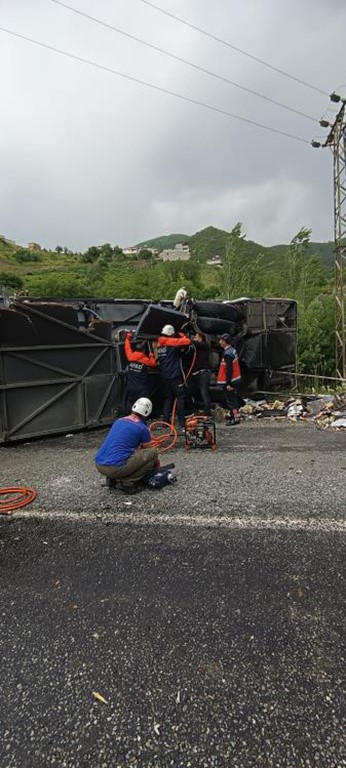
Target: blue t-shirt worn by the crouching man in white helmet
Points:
(123, 439)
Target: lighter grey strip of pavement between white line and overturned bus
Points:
(262, 470)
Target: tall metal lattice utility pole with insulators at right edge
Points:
(336, 140)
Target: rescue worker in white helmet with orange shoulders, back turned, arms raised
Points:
(169, 349)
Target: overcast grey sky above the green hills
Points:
(87, 157)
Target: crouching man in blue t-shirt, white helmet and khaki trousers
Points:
(125, 456)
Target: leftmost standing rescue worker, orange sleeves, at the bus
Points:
(137, 375)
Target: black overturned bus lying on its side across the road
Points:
(62, 362)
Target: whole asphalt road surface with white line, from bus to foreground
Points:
(210, 615)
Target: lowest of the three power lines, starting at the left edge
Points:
(152, 86)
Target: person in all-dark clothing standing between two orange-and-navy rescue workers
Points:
(198, 382)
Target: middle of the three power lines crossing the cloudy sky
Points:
(183, 61)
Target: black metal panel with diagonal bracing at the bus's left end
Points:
(49, 390)
